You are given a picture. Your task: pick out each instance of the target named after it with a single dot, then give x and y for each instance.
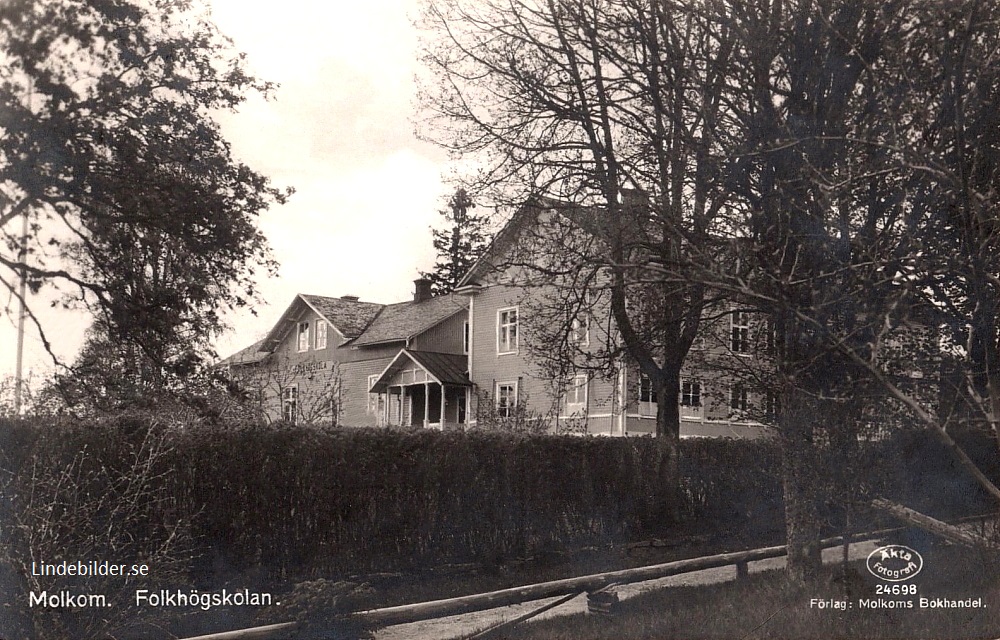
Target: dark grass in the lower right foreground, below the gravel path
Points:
(766, 606)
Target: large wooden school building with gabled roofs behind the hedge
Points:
(466, 359)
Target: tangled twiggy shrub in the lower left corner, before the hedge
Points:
(93, 492)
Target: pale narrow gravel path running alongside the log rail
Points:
(468, 623)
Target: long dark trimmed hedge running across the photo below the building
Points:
(307, 502)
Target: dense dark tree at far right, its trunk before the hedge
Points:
(864, 170)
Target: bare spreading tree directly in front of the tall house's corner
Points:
(612, 108)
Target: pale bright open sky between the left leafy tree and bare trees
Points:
(339, 130)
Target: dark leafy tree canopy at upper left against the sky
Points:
(135, 206)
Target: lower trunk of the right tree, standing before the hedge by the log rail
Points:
(802, 526)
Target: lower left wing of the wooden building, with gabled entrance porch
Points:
(346, 362)
